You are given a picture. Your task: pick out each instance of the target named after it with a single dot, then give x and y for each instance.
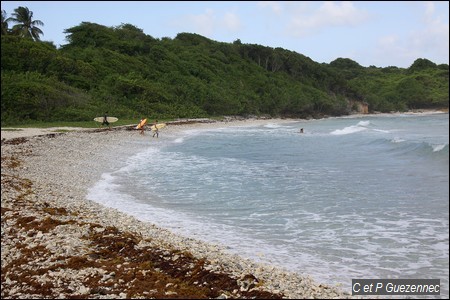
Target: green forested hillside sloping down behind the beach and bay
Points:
(130, 74)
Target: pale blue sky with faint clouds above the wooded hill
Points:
(372, 33)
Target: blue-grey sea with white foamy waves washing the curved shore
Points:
(355, 197)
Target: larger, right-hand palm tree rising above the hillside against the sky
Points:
(26, 27)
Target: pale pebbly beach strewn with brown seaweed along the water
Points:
(57, 244)
